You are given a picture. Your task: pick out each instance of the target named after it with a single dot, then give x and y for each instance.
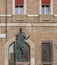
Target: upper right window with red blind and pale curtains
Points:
(45, 6)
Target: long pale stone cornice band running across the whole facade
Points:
(28, 24)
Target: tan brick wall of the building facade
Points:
(37, 33)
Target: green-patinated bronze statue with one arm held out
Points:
(20, 41)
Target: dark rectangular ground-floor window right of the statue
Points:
(47, 54)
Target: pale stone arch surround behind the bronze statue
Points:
(32, 50)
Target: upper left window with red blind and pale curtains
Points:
(19, 6)
